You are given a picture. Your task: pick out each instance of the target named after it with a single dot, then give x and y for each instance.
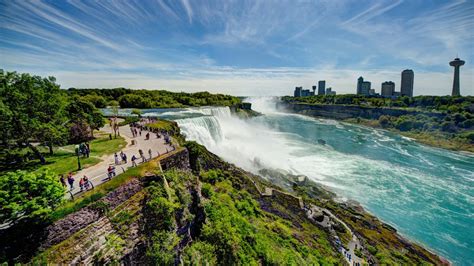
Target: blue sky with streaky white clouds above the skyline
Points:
(260, 47)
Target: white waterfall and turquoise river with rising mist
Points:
(426, 193)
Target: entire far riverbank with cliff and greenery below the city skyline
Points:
(441, 121)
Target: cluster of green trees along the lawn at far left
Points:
(35, 112)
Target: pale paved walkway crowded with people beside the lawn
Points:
(97, 174)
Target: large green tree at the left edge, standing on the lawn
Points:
(32, 110)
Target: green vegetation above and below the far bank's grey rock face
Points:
(453, 128)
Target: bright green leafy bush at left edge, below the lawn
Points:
(25, 195)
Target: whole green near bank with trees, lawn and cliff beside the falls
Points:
(184, 205)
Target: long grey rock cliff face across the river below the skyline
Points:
(349, 111)
